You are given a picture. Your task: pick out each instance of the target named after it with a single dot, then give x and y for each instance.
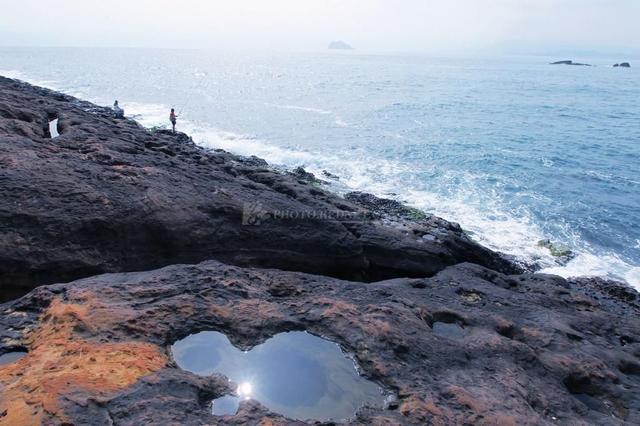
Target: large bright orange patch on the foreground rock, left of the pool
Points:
(59, 361)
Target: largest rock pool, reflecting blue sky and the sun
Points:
(295, 374)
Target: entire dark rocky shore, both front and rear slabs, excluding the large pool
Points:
(117, 242)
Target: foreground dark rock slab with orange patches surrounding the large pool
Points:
(531, 349)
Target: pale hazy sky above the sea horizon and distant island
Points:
(527, 26)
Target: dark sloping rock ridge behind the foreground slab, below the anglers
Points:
(108, 196)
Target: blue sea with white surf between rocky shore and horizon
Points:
(512, 148)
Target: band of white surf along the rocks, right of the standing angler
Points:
(487, 222)
